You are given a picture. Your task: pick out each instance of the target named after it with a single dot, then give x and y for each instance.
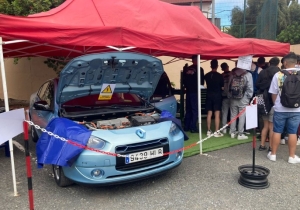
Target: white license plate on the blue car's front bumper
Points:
(144, 155)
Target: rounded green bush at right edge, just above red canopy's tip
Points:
(291, 34)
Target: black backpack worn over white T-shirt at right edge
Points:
(290, 90)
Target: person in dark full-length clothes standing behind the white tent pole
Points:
(190, 81)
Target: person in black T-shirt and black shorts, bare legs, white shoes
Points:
(215, 84)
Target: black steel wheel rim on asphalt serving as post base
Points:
(256, 179)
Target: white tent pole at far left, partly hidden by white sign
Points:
(7, 109)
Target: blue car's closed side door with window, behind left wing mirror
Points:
(45, 94)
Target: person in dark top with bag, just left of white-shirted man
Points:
(264, 103)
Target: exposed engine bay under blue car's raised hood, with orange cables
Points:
(133, 120)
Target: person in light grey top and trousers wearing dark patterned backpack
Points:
(240, 91)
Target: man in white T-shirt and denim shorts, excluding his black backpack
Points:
(284, 116)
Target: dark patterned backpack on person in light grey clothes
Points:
(237, 86)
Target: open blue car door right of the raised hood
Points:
(163, 97)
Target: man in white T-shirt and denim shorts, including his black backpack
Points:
(285, 90)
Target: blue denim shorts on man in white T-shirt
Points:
(289, 120)
